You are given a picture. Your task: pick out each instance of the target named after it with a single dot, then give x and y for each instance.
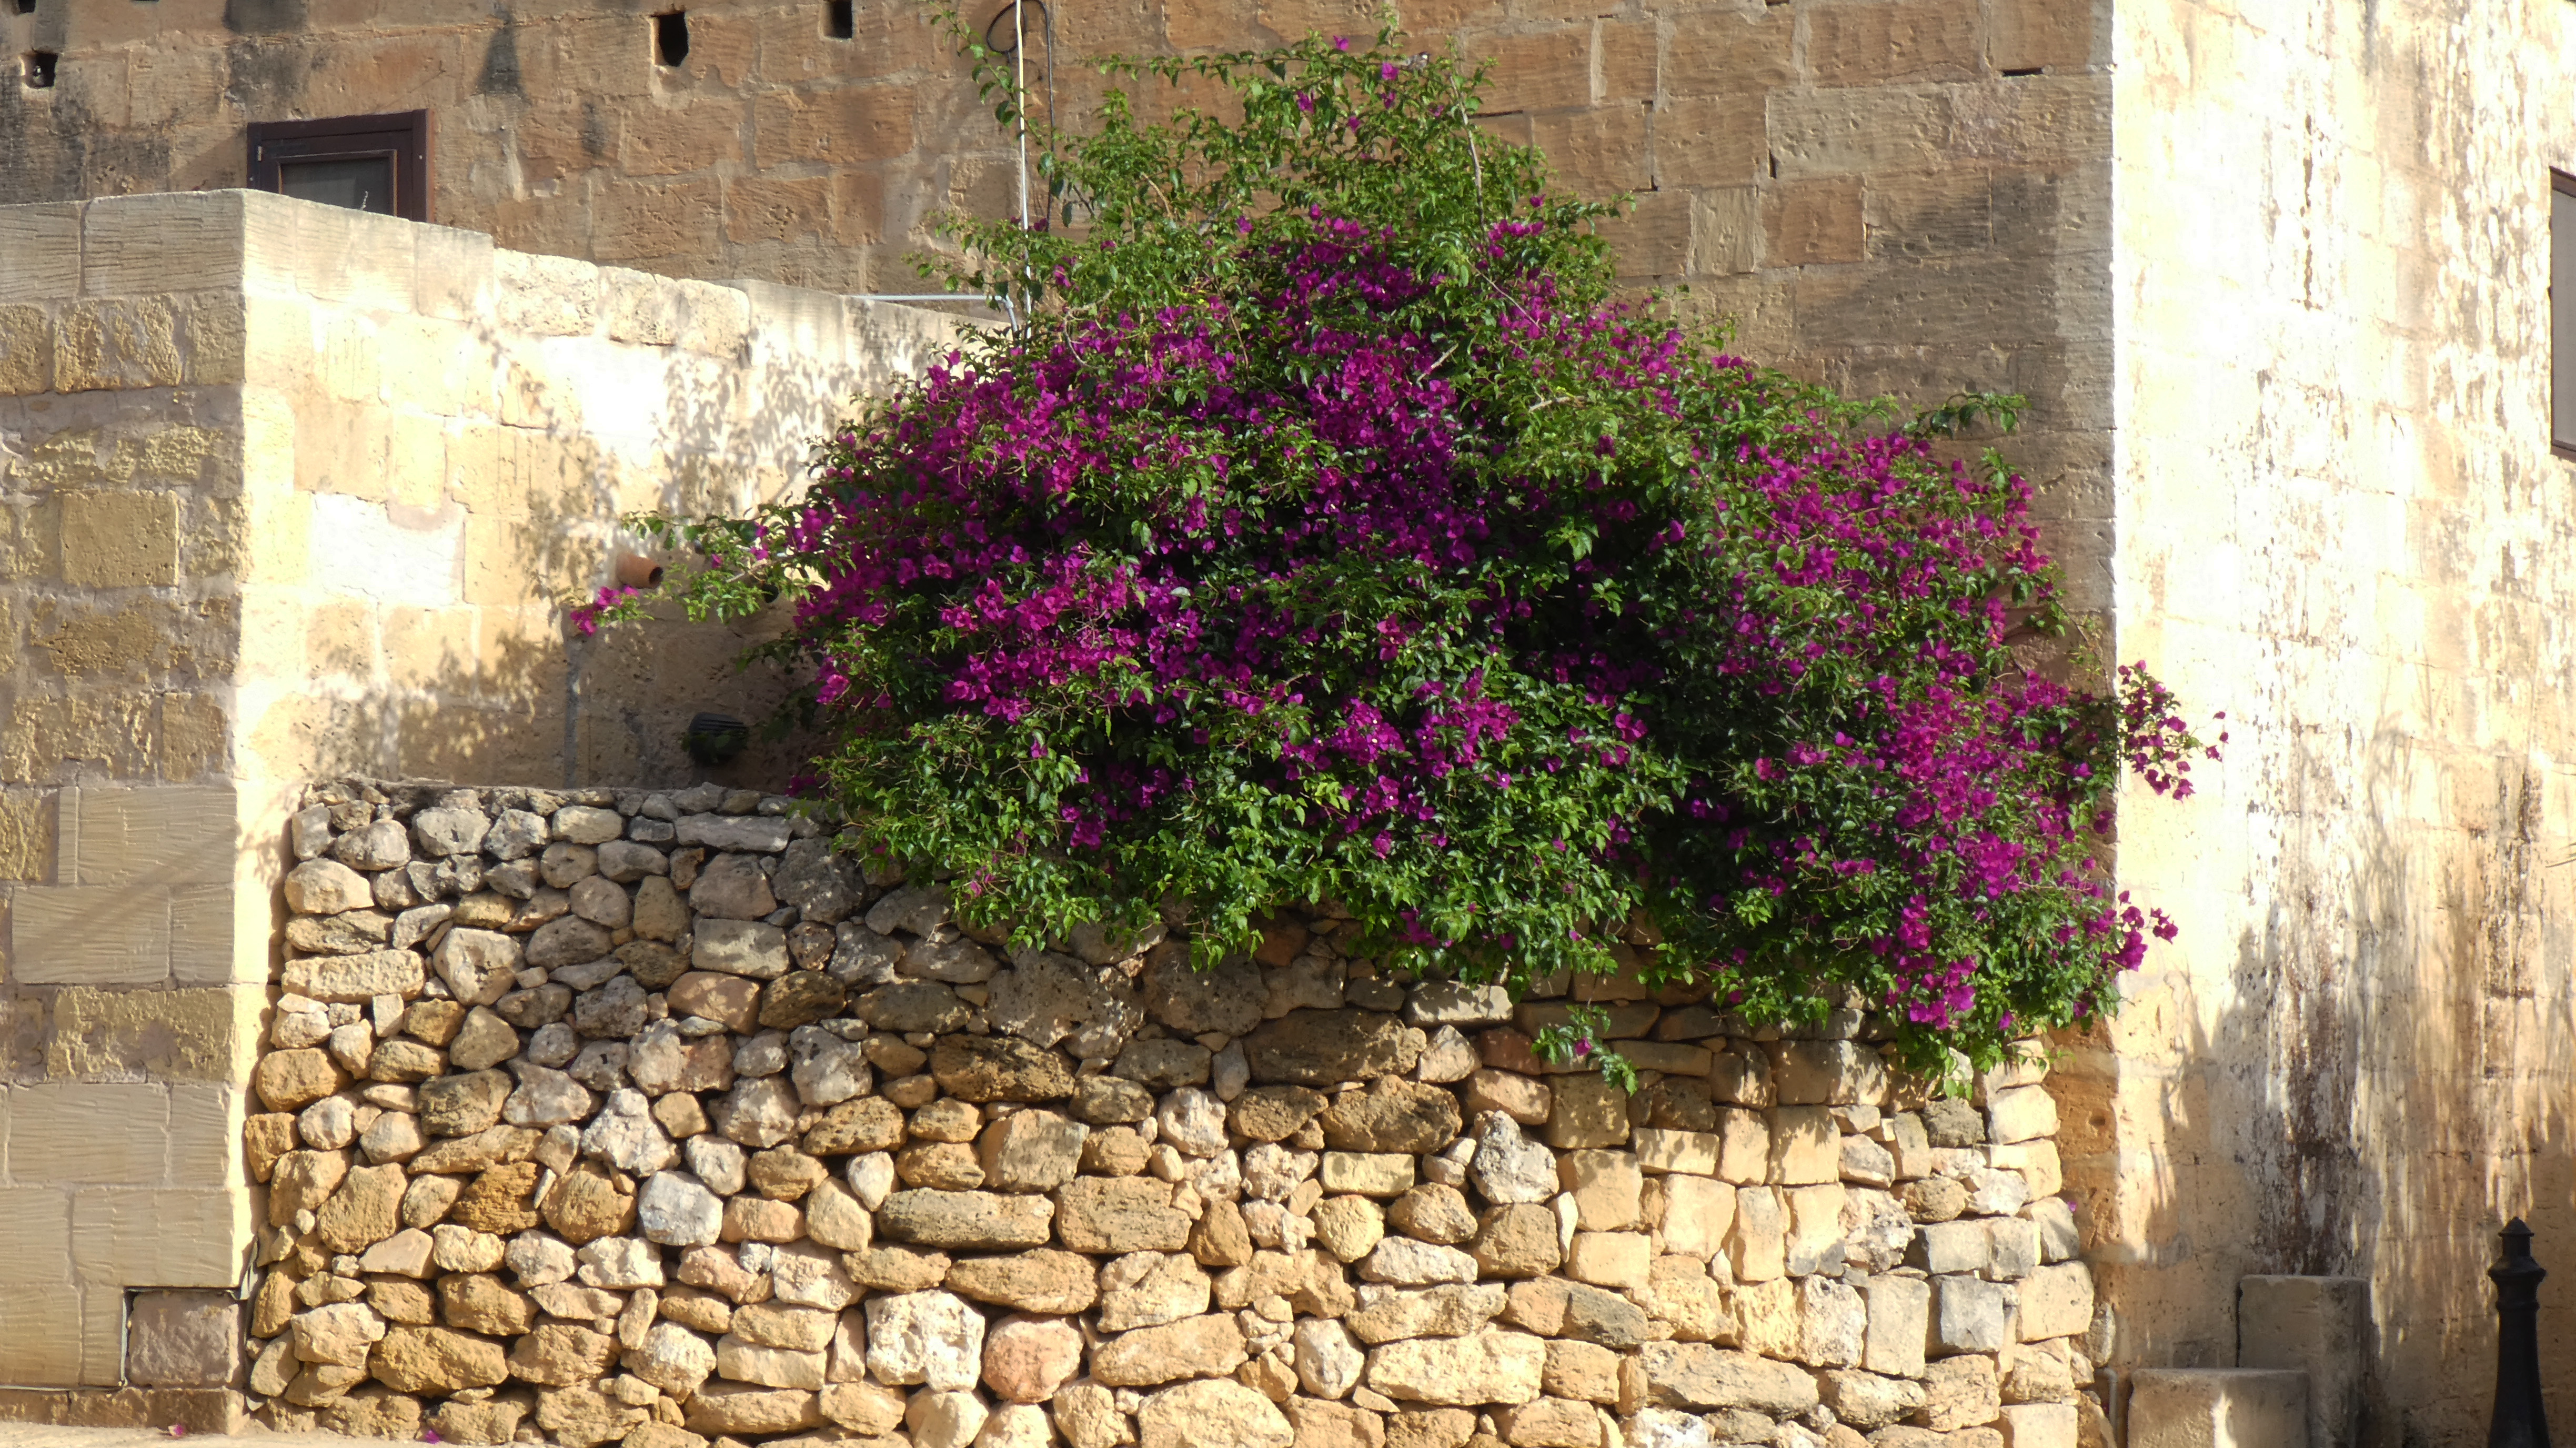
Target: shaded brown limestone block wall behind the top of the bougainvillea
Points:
(1889, 195)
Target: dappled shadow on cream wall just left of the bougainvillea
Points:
(535, 700)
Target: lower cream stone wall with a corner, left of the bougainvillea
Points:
(287, 488)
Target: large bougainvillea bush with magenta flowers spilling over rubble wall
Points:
(1325, 529)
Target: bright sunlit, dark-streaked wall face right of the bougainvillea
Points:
(2340, 522)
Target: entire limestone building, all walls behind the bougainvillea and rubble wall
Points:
(2276, 280)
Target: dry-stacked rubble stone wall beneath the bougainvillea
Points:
(645, 1117)
